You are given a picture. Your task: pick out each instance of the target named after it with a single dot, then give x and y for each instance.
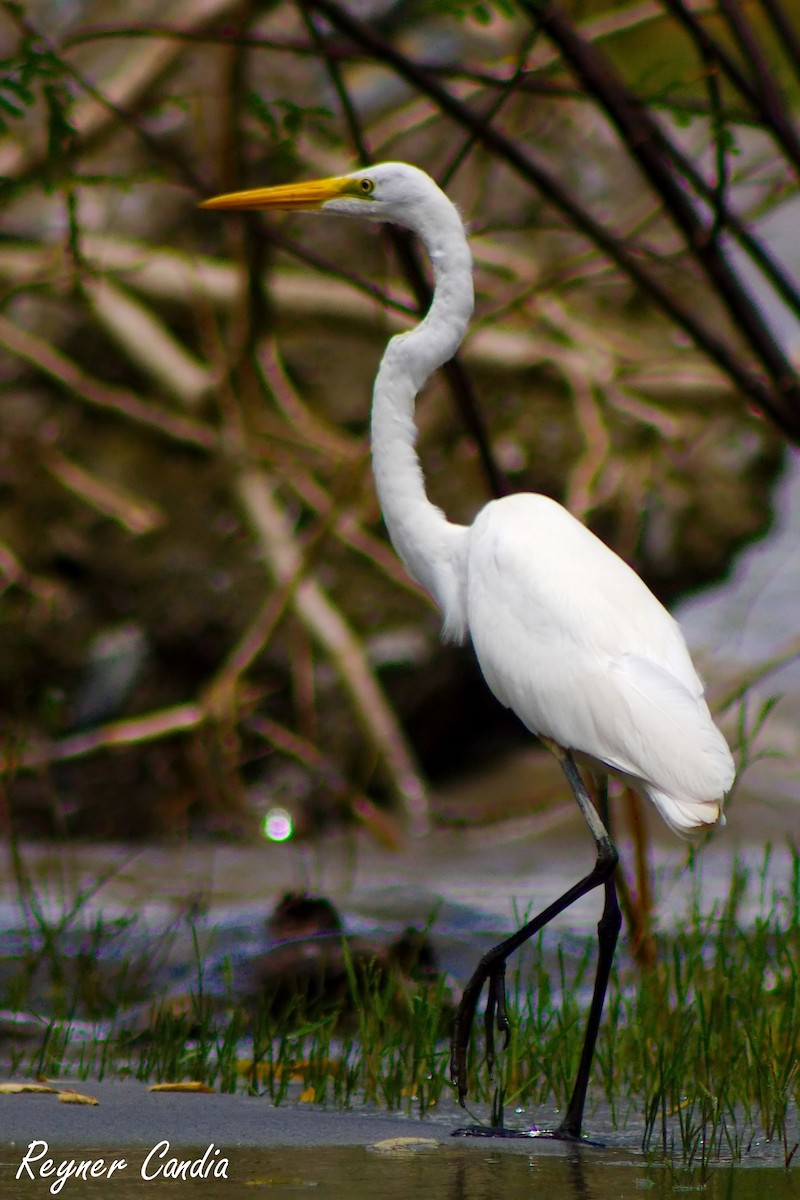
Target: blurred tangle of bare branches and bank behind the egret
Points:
(206, 633)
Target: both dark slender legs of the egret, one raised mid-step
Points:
(492, 970)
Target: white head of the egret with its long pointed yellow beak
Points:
(390, 191)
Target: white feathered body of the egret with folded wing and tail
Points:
(572, 640)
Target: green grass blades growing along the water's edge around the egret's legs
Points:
(701, 1055)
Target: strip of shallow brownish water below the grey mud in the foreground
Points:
(441, 1173)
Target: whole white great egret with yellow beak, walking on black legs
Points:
(566, 633)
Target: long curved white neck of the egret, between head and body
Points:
(434, 549)
